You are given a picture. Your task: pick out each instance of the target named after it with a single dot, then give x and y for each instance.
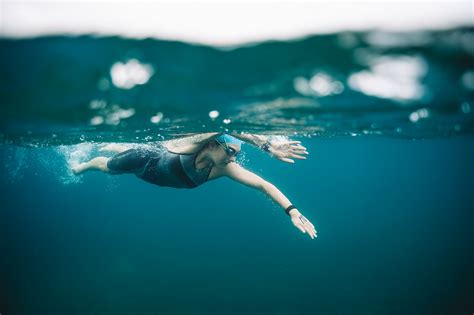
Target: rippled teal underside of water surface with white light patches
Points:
(65, 90)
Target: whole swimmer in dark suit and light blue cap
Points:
(191, 161)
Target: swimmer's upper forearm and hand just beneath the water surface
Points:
(282, 149)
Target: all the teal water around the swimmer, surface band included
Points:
(388, 182)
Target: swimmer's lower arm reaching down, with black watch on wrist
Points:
(239, 174)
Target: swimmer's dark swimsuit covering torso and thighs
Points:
(161, 167)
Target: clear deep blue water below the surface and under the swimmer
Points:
(394, 221)
